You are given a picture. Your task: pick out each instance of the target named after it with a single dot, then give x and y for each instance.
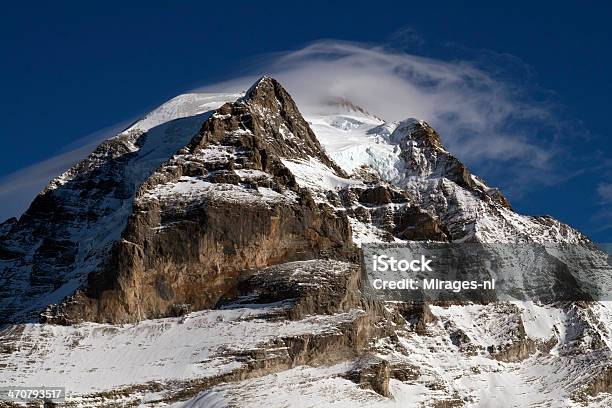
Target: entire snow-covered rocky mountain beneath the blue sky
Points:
(208, 256)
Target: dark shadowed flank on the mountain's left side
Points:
(71, 226)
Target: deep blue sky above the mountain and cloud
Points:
(71, 69)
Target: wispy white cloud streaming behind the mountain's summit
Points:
(486, 122)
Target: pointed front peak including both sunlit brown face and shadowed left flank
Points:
(231, 199)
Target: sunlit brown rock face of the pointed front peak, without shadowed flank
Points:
(223, 205)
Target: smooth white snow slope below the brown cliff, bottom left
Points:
(106, 357)
